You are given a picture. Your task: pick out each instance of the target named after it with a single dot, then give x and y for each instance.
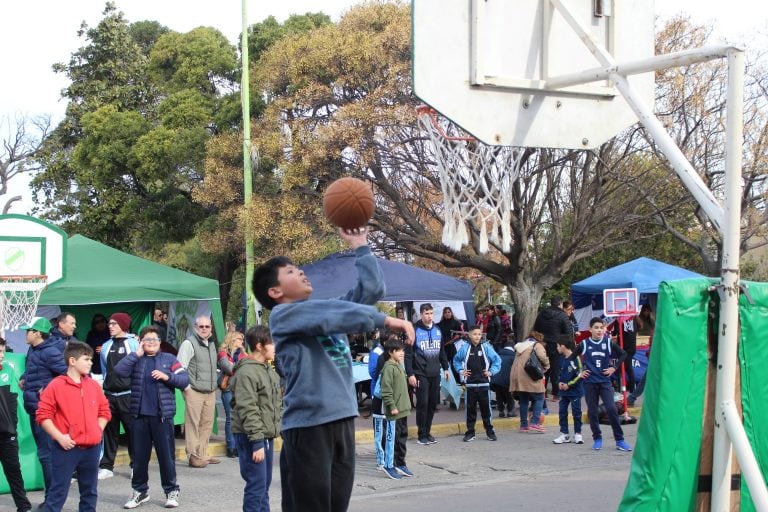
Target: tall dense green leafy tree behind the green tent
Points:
(143, 101)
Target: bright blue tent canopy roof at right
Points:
(645, 274)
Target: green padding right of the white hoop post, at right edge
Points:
(753, 358)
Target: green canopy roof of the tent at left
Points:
(98, 274)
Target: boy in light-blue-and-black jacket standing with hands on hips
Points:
(475, 363)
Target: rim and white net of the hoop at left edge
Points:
(19, 296)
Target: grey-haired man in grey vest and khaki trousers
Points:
(197, 354)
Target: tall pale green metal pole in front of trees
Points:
(250, 317)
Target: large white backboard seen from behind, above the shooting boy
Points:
(484, 64)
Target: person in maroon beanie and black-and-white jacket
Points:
(117, 389)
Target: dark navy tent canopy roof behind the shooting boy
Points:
(334, 275)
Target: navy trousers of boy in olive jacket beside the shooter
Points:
(257, 476)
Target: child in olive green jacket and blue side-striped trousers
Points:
(396, 405)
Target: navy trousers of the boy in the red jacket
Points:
(64, 463)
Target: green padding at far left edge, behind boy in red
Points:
(13, 367)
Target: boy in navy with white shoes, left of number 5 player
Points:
(571, 391)
